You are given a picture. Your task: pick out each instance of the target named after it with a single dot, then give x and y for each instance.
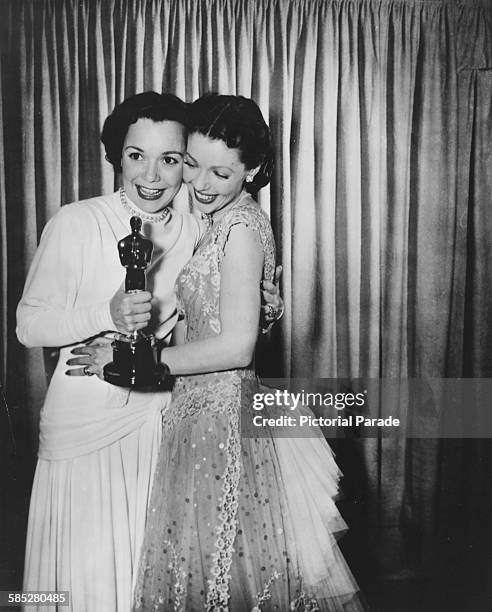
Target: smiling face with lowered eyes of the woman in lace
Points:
(213, 173)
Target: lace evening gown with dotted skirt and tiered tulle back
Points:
(236, 523)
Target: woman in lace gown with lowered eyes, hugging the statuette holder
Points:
(227, 527)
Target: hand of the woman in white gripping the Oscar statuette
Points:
(130, 311)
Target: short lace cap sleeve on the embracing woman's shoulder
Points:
(250, 215)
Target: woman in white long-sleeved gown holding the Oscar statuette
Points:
(98, 443)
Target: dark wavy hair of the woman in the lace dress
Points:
(238, 122)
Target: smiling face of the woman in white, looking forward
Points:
(152, 163)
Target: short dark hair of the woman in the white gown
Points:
(148, 105)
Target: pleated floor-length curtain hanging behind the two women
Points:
(381, 115)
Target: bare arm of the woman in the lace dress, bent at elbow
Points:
(241, 274)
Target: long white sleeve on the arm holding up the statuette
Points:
(50, 313)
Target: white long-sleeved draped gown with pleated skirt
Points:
(98, 443)
